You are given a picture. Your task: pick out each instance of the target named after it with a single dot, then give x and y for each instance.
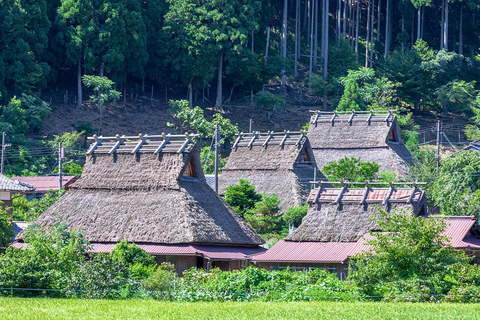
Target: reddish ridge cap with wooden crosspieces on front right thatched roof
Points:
(375, 195)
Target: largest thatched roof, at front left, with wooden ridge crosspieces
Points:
(148, 197)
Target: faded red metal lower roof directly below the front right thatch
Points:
(318, 252)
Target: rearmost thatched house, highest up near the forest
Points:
(370, 136)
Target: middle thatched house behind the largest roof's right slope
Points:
(280, 163)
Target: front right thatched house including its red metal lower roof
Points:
(337, 219)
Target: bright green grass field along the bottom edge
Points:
(17, 308)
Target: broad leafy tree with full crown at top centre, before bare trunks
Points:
(203, 35)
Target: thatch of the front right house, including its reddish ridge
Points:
(344, 214)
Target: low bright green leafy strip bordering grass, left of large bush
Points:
(253, 284)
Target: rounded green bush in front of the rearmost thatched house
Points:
(351, 169)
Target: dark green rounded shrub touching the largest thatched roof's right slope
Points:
(242, 197)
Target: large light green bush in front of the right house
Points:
(408, 249)
